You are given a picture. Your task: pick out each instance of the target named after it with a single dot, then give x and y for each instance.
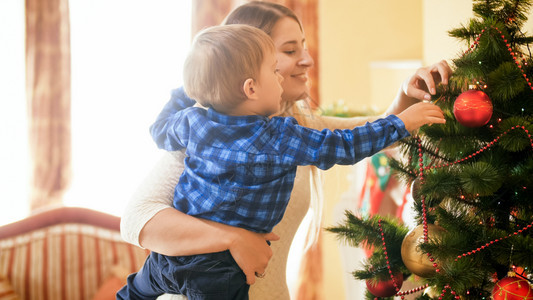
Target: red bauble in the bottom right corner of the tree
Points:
(512, 287)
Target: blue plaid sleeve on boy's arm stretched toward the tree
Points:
(326, 148)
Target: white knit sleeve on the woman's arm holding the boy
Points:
(153, 195)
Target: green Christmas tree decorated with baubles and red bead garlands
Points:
(471, 178)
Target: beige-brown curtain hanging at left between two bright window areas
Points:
(48, 98)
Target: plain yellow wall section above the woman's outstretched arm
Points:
(353, 33)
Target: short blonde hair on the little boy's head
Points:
(221, 59)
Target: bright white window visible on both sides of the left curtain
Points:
(126, 57)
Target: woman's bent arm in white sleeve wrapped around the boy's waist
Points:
(150, 221)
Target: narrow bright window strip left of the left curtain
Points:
(13, 127)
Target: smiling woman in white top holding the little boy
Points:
(151, 222)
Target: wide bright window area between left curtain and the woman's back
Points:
(126, 57)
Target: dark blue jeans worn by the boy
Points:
(206, 276)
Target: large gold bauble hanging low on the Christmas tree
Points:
(413, 258)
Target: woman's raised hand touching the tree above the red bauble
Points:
(423, 83)
